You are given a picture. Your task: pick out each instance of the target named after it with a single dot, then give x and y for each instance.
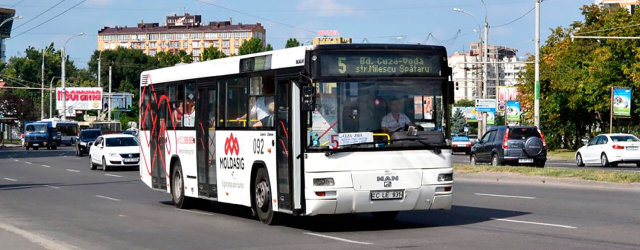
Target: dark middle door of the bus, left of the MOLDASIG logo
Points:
(206, 148)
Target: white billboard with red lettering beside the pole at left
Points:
(80, 98)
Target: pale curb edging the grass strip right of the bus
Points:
(540, 180)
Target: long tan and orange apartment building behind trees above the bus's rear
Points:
(186, 32)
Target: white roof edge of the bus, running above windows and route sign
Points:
(282, 58)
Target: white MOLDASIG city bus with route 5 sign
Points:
(300, 130)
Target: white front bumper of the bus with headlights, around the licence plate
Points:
(349, 200)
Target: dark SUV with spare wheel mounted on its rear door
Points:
(511, 145)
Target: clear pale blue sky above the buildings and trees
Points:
(375, 21)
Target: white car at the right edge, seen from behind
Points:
(609, 150)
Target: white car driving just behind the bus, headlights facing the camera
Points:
(114, 150)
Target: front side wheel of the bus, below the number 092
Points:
(262, 198)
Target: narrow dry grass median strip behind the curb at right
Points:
(583, 174)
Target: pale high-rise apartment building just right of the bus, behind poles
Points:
(503, 70)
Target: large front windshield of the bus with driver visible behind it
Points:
(367, 111)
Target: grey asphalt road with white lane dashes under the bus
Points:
(51, 200)
